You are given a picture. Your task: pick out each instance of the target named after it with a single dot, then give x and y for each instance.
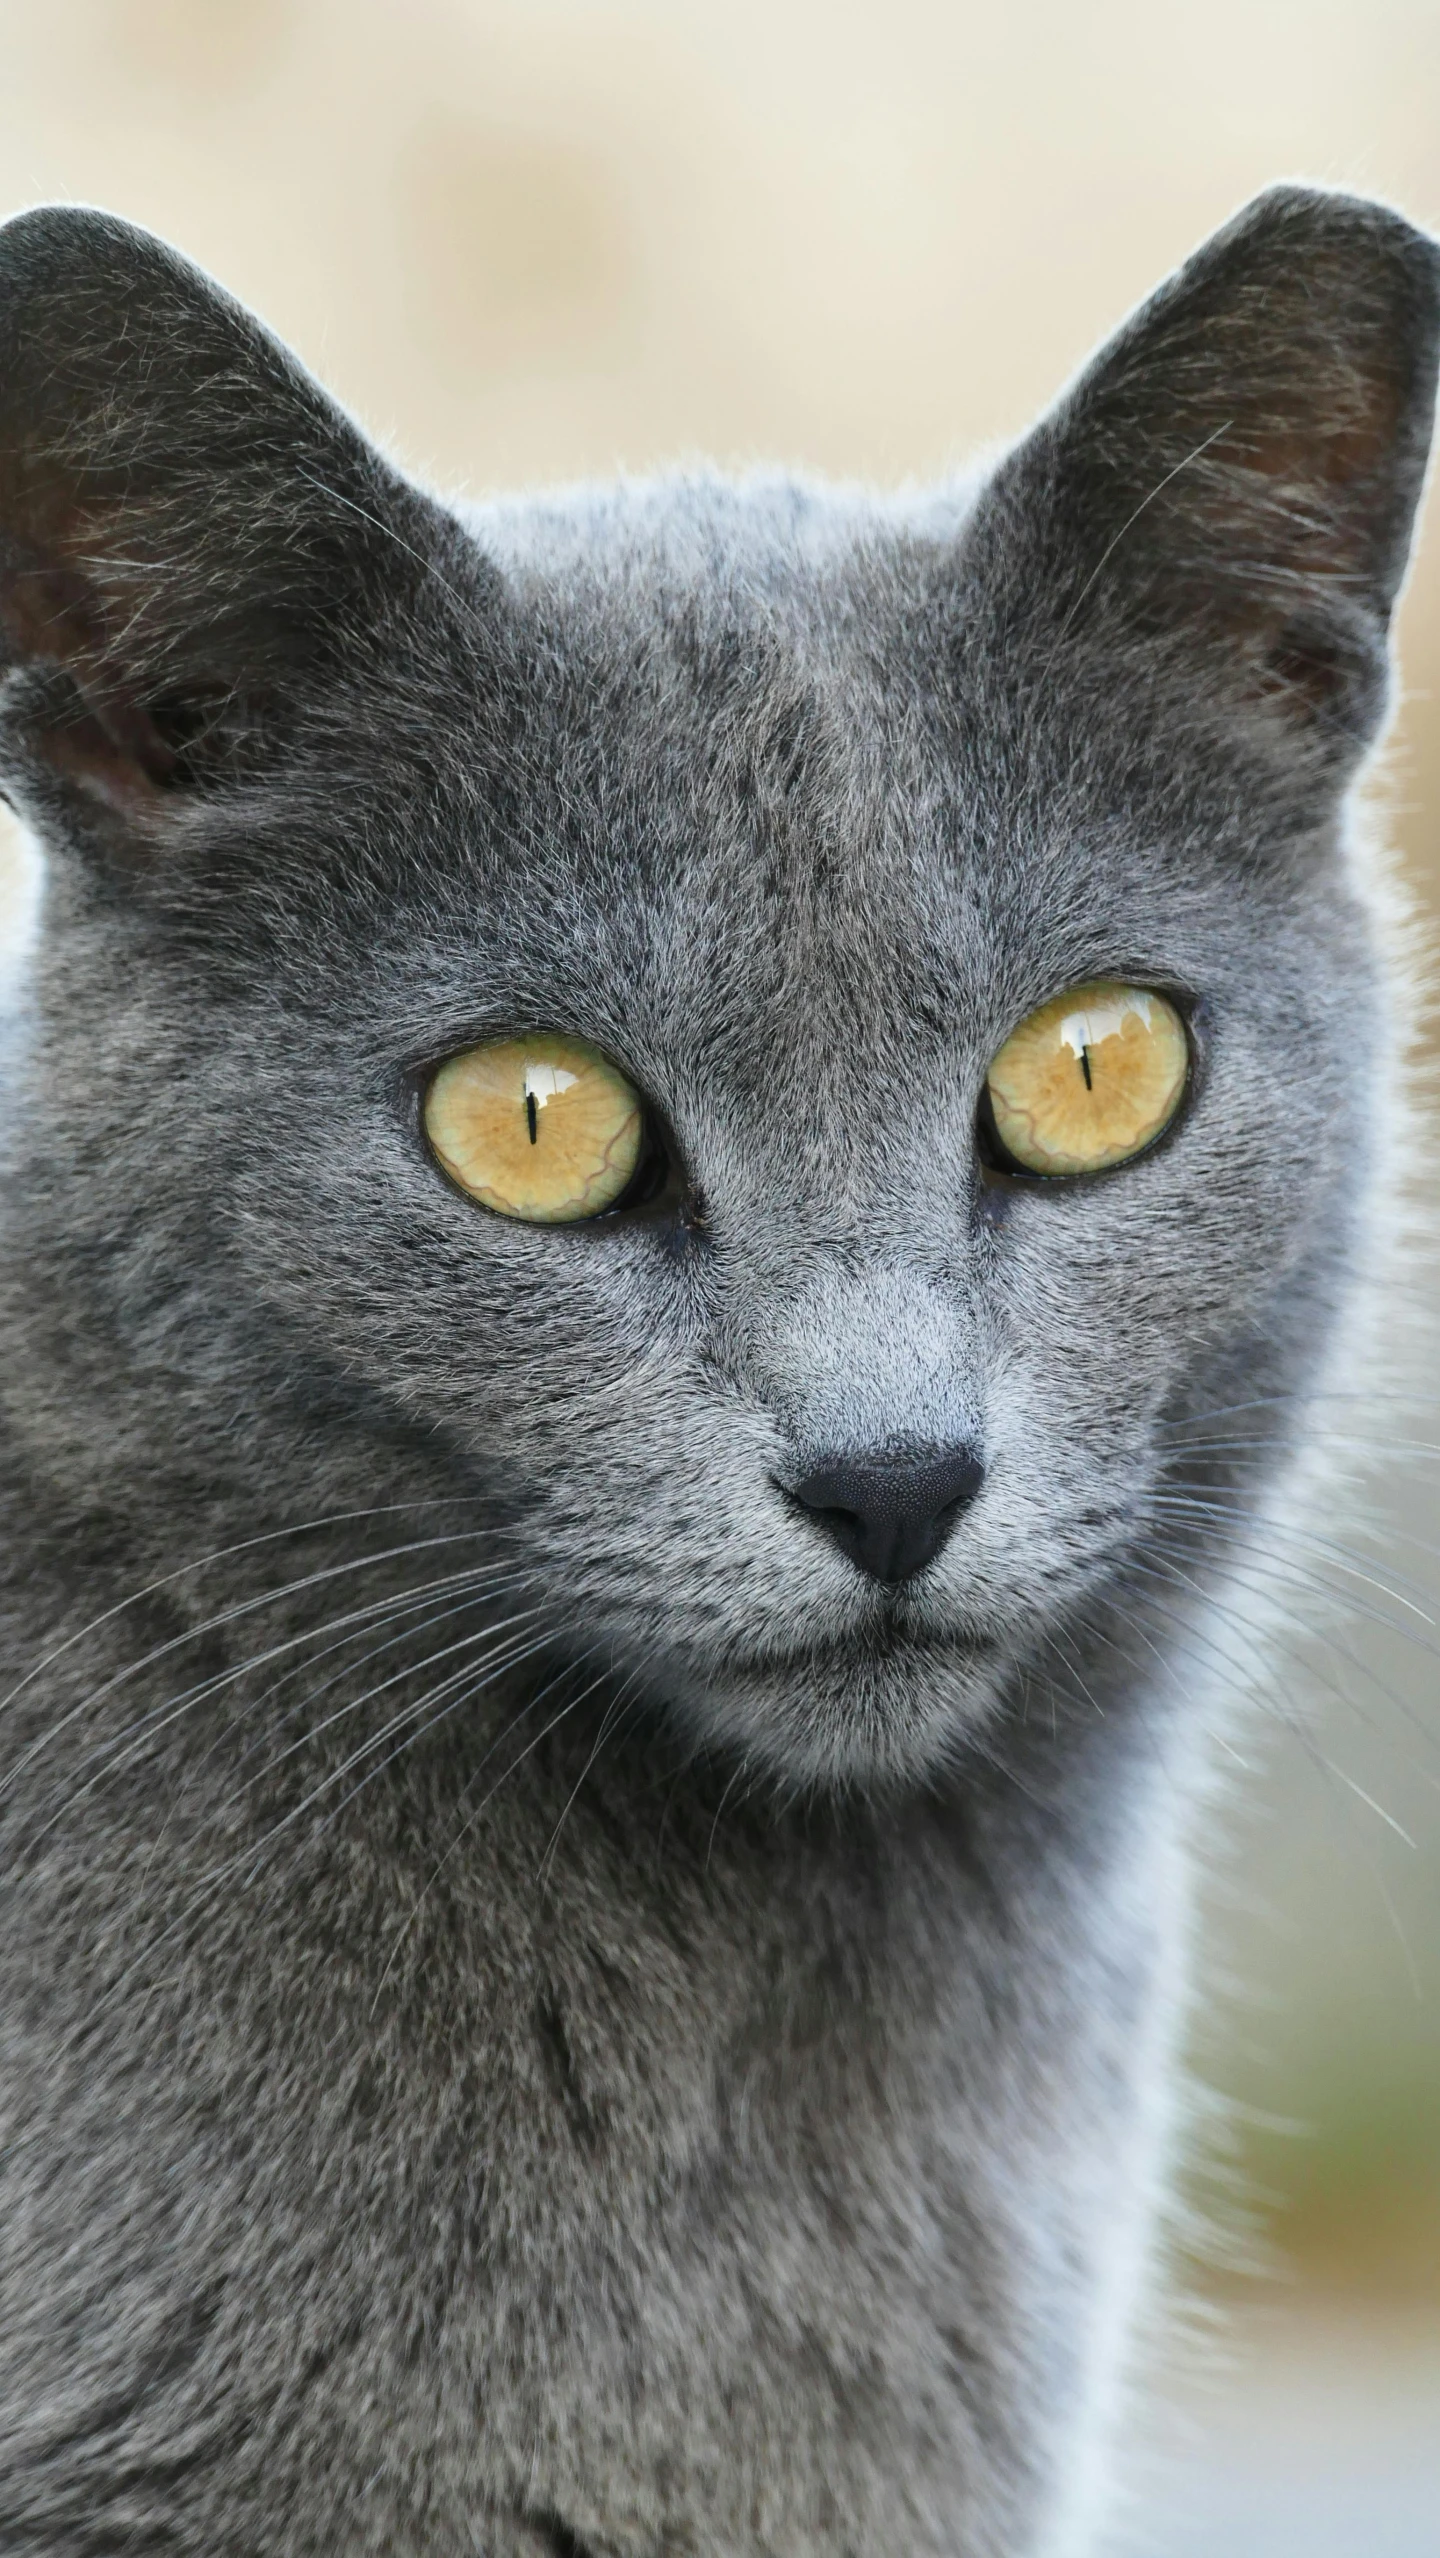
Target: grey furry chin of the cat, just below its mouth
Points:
(848, 1718)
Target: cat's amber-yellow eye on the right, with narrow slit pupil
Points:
(1091, 1078)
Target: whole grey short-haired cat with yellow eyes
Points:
(682, 1168)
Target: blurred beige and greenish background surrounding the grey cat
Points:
(567, 237)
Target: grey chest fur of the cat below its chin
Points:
(692, 2188)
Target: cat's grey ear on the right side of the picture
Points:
(1234, 480)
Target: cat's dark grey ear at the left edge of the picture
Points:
(191, 533)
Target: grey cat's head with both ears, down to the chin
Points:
(758, 817)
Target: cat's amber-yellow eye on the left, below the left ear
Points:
(538, 1129)
